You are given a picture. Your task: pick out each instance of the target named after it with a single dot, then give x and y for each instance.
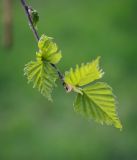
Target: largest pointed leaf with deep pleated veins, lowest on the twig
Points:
(98, 102)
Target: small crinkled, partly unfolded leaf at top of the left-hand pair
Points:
(48, 50)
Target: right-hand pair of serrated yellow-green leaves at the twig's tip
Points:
(95, 100)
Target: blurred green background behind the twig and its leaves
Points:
(33, 128)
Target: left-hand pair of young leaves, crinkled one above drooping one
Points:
(41, 71)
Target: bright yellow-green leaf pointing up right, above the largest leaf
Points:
(84, 74)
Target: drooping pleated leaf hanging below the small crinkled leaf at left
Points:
(42, 75)
